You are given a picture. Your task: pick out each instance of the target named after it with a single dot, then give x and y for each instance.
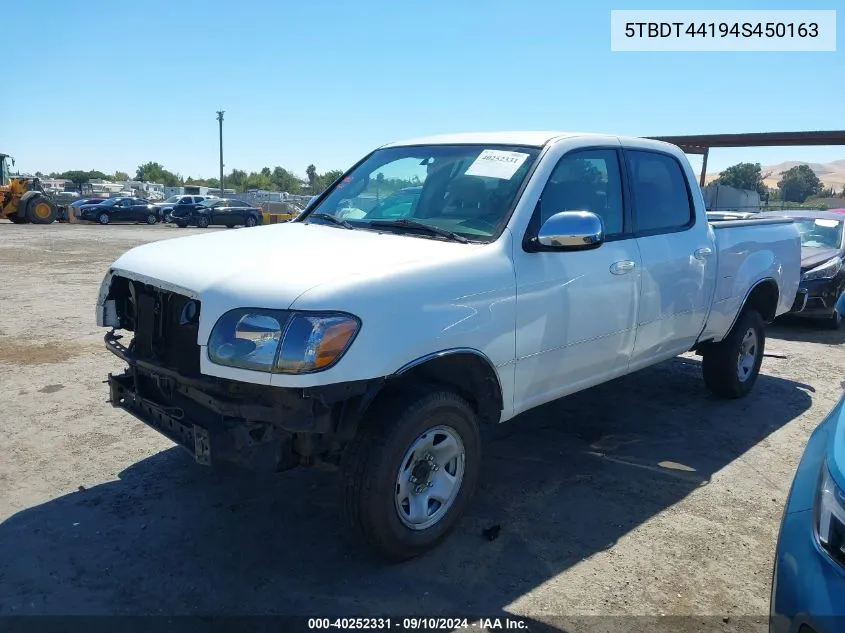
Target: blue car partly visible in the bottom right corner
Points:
(808, 581)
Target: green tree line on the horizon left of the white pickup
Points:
(275, 179)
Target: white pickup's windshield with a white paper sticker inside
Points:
(465, 189)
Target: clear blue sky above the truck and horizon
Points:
(110, 84)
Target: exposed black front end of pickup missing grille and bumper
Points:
(154, 330)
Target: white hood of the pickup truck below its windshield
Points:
(270, 266)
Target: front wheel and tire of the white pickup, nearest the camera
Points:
(379, 458)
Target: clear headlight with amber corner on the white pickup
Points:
(280, 341)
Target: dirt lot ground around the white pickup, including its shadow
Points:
(645, 496)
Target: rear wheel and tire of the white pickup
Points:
(731, 366)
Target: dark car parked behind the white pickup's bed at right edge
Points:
(822, 258)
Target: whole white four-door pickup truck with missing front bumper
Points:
(439, 285)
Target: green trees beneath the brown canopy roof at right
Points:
(797, 184)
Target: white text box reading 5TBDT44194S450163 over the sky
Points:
(723, 30)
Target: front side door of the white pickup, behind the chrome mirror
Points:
(576, 311)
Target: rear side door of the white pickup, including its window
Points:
(678, 256)
